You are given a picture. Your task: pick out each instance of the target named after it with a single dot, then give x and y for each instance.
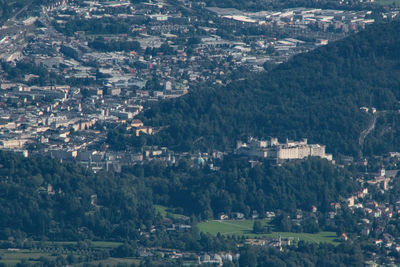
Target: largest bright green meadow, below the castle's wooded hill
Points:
(244, 227)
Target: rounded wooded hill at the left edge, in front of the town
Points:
(77, 205)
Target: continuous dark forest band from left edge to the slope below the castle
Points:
(42, 197)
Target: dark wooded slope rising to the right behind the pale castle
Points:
(317, 95)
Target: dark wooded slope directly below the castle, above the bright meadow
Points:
(239, 188)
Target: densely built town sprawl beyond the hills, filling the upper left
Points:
(167, 51)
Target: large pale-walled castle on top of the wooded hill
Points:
(274, 150)
